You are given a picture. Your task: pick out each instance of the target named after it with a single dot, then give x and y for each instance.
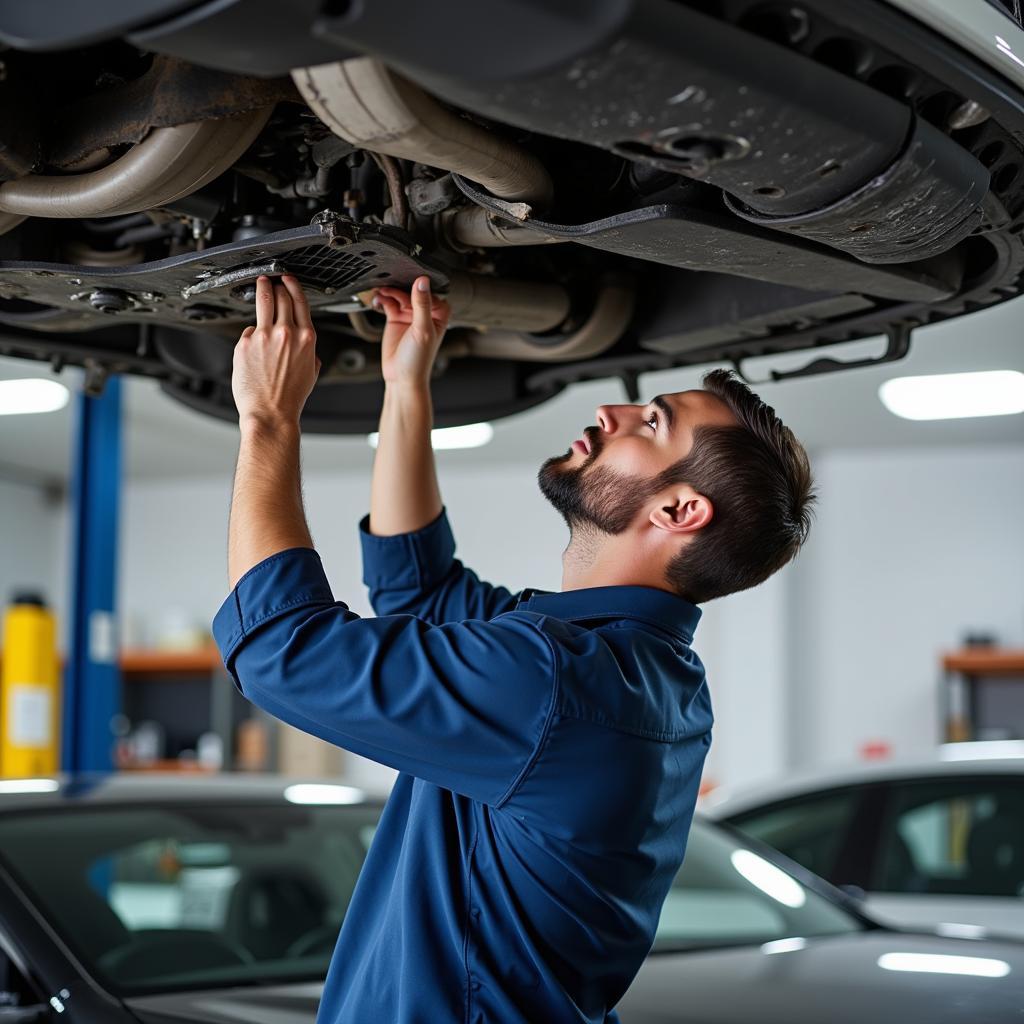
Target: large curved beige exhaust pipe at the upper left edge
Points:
(166, 165)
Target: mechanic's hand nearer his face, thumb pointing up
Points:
(415, 327)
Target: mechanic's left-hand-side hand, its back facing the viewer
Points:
(276, 364)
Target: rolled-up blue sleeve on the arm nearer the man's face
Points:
(418, 574)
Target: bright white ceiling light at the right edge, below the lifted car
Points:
(955, 397)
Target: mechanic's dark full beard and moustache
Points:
(593, 497)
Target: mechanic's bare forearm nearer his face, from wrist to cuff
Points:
(404, 494)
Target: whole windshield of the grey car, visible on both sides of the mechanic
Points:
(159, 899)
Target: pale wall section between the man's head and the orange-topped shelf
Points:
(912, 549)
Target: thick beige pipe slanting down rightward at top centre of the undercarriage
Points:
(368, 105)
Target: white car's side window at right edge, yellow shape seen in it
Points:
(962, 837)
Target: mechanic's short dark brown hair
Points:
(758, 479)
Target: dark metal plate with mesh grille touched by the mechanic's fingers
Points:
(333, 259)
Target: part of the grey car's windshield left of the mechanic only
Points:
(159, 899)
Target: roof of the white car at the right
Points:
(726, 802)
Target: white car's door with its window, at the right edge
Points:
(951, 852)
